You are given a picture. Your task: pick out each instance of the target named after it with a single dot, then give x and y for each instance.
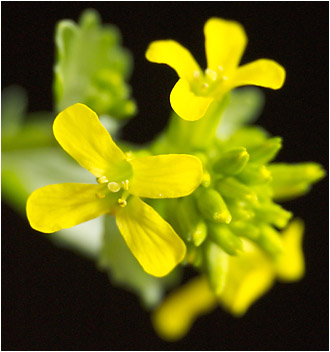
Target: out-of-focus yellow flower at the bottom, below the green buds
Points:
(250, 275)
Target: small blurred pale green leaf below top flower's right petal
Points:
(244, 107)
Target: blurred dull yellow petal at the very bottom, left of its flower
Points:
(174, 317)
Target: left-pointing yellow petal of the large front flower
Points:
(61, 206)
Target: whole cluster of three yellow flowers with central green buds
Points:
(215, 196)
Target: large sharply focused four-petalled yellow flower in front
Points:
(121, 181)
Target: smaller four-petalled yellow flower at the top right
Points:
(225, 42)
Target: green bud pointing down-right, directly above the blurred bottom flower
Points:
(223, 237)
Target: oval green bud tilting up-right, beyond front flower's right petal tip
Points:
(231, 162)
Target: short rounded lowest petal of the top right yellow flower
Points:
(186, 103)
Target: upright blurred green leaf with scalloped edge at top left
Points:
(92, 66)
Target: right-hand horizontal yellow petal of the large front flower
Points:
(165, 176)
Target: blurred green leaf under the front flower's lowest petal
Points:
(125, 271)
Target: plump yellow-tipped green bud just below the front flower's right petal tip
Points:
(212, 206)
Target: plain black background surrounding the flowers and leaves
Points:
(55, 300)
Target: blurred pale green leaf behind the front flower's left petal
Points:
(23, 171)
